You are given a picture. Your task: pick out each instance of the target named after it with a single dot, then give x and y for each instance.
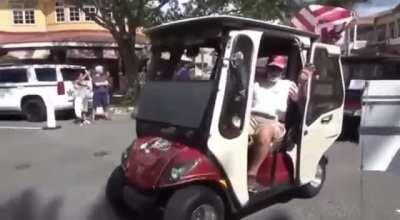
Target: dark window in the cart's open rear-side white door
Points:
(326, 86)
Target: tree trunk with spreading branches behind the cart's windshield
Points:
(123, 18)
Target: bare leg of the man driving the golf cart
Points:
(263, 142)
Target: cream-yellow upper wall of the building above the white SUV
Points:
(45, 20)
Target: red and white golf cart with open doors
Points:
(190, 158)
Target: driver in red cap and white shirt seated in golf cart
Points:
(271, 95)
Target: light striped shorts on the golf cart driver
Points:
(258, 122)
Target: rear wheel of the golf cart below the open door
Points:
(311, 189)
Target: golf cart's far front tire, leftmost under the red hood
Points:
(114, 189)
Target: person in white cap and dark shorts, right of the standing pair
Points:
(100, 90)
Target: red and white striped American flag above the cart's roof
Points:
(327, 21)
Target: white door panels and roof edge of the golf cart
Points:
(323, 112)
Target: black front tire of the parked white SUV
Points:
(34, 110)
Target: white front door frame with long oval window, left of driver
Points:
(228, 140)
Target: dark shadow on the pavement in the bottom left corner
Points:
(26, 206)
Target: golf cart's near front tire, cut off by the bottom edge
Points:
(184, 202)
